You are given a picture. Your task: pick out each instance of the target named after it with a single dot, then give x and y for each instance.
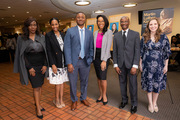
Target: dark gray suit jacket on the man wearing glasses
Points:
(128, 54)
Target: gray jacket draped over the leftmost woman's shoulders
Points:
(19, 62)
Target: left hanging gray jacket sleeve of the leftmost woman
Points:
(17, 57)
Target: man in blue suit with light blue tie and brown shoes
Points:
(78, 48)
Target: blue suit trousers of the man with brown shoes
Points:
(83, 69)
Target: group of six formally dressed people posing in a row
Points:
(62, 58)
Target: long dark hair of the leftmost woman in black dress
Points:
(25, 29)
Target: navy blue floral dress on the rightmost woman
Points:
(153, 56)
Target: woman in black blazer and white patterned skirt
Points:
(57, 70)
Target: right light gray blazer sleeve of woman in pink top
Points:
(108, 47)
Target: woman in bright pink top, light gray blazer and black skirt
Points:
(102, 44)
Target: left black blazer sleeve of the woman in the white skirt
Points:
(49, 50)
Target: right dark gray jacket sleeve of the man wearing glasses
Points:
(137, 50)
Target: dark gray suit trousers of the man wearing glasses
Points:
(123, 79)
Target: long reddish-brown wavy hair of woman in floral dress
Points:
(147, 32)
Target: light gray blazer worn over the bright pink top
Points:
(106, 44)
